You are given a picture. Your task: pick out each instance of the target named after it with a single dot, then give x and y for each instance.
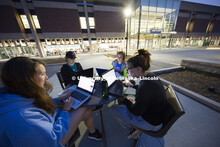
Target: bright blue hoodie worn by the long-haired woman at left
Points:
(22, 124)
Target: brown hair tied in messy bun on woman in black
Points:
(141, 59)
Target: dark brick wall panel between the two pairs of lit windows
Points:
(58, 20)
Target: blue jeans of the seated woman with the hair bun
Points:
(126, 118)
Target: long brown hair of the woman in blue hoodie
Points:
(19, 76)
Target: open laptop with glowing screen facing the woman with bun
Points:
(115, 86)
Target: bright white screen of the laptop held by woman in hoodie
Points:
(86, 83)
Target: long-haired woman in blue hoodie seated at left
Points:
(28, 115)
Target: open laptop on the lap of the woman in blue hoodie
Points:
(83, 91)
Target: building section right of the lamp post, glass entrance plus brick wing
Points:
(159, 24)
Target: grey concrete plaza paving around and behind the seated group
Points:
(197, 128)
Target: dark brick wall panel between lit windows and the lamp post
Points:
(109, 21)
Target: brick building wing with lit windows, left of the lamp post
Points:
(52, 27)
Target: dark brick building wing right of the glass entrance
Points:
(197, 26)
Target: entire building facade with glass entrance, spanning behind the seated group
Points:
(52, 27)
